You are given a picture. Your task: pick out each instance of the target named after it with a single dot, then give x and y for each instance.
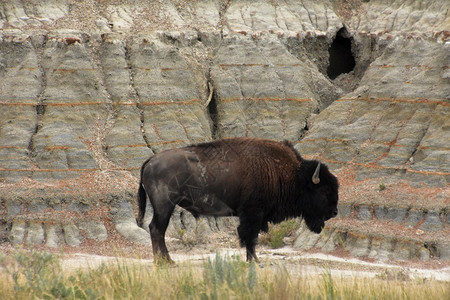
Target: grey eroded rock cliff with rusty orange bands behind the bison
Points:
(90, 89)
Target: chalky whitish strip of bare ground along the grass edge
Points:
(296, 263)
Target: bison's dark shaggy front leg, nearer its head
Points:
(248, 229)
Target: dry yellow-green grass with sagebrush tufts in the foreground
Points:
(37, 275)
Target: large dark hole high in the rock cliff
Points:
(341, 57)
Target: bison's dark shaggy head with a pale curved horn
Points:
(319, 194)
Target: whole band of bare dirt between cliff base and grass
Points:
(93, 254)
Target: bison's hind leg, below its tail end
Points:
(158, 227)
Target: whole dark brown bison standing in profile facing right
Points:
(257, 180)
